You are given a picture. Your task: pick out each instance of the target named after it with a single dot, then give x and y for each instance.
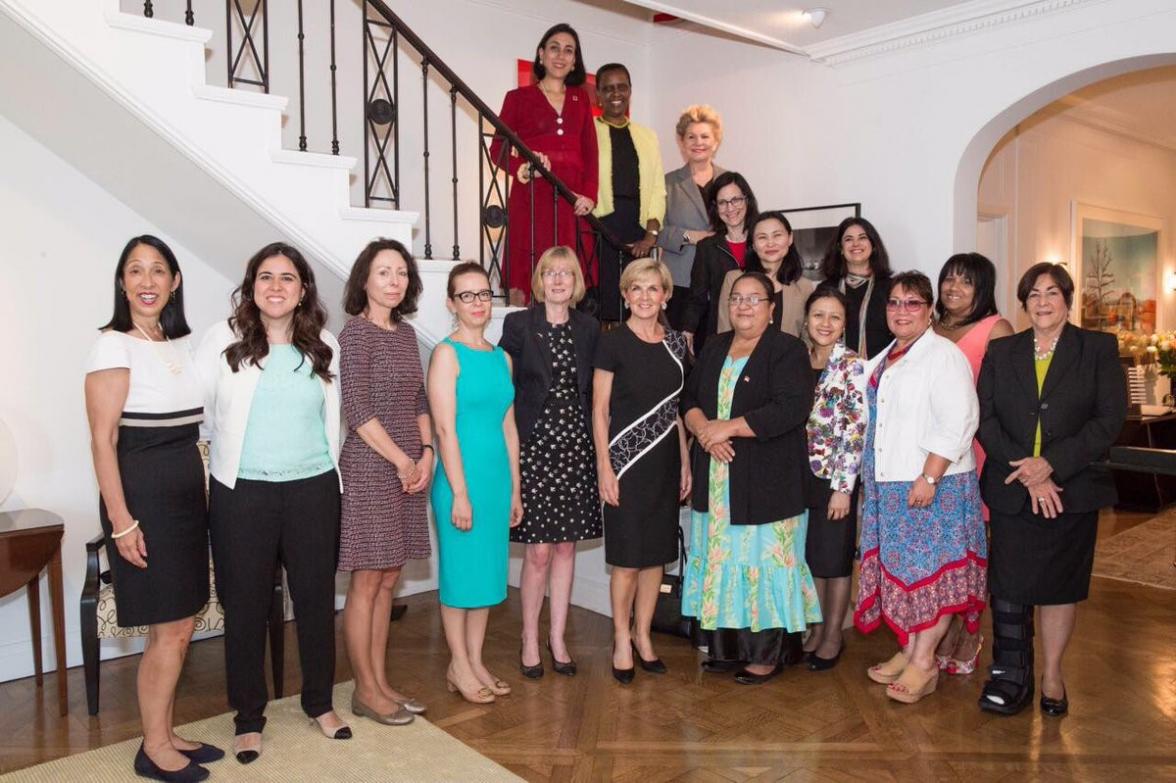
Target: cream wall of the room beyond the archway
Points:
(1050, 162)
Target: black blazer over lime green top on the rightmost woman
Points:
(1083, 409)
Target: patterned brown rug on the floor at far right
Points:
(1144, 556)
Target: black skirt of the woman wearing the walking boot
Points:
(1041, 563)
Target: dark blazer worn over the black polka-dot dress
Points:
(525, 338)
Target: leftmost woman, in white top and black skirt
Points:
(144, 405)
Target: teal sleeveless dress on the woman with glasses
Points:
(473, 564)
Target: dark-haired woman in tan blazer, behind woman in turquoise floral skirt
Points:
(777, 257)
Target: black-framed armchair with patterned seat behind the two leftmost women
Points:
(99, 614)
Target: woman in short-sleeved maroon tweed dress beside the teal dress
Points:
(386, 464)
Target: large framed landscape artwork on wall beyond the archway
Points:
(1115, 264)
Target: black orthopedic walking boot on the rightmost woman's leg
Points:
(1011, 685)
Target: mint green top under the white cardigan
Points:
(286, 438)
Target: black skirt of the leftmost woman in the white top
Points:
(164, 484)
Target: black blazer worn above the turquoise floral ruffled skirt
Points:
(774, 393)
